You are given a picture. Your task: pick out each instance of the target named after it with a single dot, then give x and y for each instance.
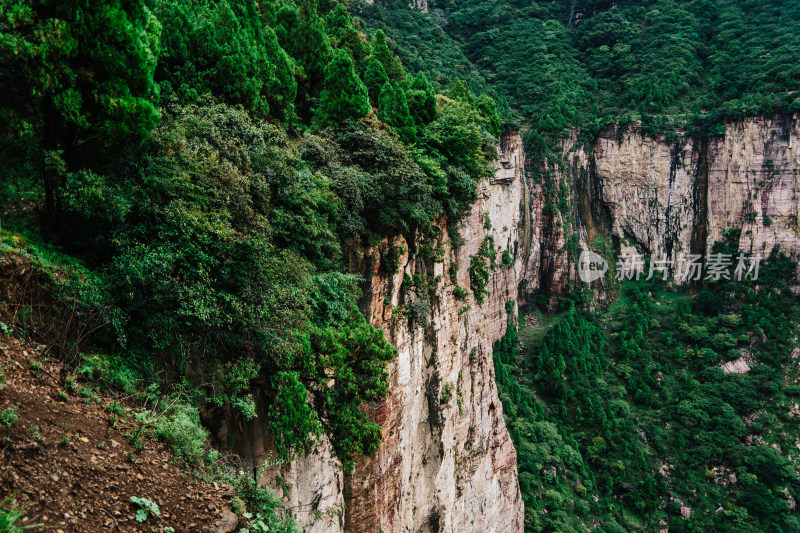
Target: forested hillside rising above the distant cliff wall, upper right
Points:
(587, 64)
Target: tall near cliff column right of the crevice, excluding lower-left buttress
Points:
(446, 461)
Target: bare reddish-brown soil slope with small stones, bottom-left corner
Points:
(74, 474)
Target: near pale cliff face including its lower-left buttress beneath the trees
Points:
(446, 462)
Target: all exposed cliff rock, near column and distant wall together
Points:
(446, 462)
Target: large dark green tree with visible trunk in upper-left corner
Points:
(77, 76)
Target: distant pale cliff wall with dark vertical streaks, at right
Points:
(669, 198)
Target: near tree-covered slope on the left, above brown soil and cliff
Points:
(188, 177)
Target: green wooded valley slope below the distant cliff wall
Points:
(604, 401)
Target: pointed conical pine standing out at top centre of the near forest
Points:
(344, 95)
